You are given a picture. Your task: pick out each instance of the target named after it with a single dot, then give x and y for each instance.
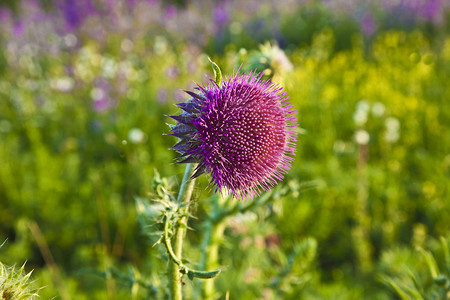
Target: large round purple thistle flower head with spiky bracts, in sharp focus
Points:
(240, 131)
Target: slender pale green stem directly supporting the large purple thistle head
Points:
(184, 196)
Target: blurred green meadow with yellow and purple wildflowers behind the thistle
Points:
(85, 91)
